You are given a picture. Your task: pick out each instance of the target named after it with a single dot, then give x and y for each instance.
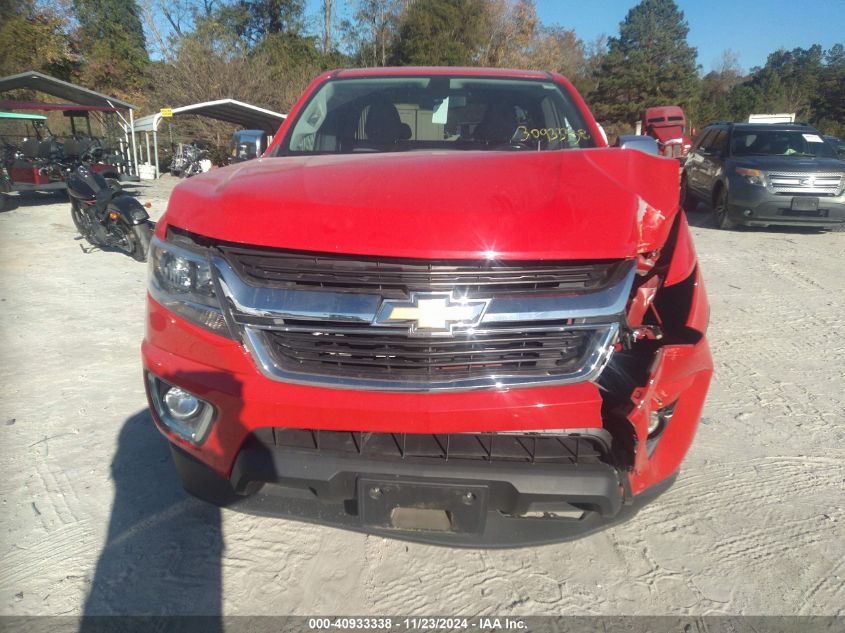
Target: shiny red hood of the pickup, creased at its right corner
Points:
(577, 204)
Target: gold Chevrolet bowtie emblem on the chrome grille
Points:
(432, 313)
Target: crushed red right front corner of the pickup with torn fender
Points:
(656, 383)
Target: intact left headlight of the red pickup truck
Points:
(180, 280)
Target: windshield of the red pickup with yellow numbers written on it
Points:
(386, 114)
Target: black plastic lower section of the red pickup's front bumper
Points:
(480, 505)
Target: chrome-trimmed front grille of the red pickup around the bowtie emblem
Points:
(544, 324)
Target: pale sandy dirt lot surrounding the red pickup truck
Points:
(94, 520)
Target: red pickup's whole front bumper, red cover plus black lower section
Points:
(326, 488)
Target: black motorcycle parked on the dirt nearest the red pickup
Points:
(105, 215)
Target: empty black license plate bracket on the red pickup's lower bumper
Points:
(413, 505)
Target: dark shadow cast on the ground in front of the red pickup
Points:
(163, 549)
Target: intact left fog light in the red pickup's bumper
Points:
(183, 413)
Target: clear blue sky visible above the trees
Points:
(750, 29)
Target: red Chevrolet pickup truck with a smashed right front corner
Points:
(439, 307)
